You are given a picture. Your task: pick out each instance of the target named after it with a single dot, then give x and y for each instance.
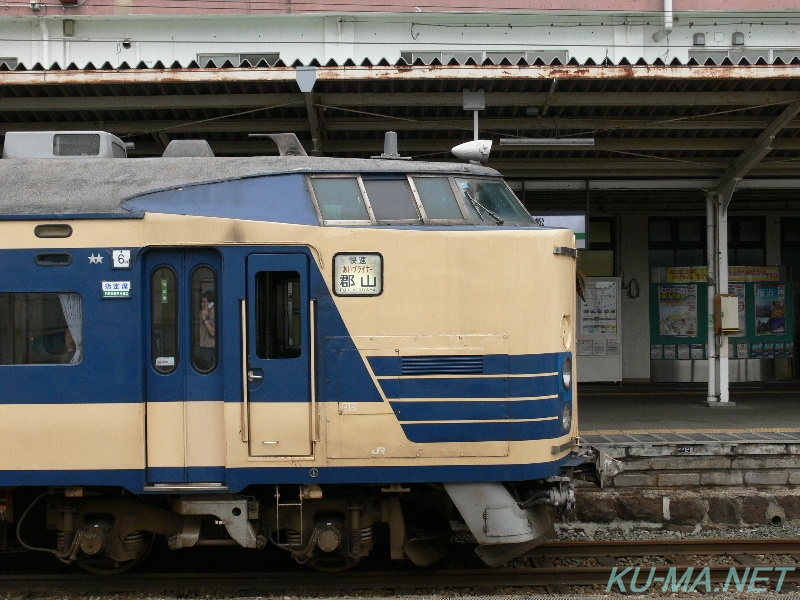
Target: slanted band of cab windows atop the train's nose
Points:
(402, 199)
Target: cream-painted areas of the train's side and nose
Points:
(431, 304)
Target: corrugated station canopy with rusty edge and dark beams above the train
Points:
(671, 129)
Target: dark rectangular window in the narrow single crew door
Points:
(278, 315)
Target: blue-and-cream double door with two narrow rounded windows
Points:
(185, 402)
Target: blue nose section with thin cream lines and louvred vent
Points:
(475, 398)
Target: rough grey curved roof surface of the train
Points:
(63, 187)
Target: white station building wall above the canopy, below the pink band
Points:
(56, 35)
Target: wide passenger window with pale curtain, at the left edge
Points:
(43, 328)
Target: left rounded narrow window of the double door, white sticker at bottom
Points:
(165, 320)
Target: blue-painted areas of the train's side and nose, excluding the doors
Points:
(115, 359)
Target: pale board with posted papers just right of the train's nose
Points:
(599, 351)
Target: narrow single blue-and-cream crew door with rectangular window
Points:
(280, 393)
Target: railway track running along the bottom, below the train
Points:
(636, 566)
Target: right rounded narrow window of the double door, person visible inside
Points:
(204, 319)
